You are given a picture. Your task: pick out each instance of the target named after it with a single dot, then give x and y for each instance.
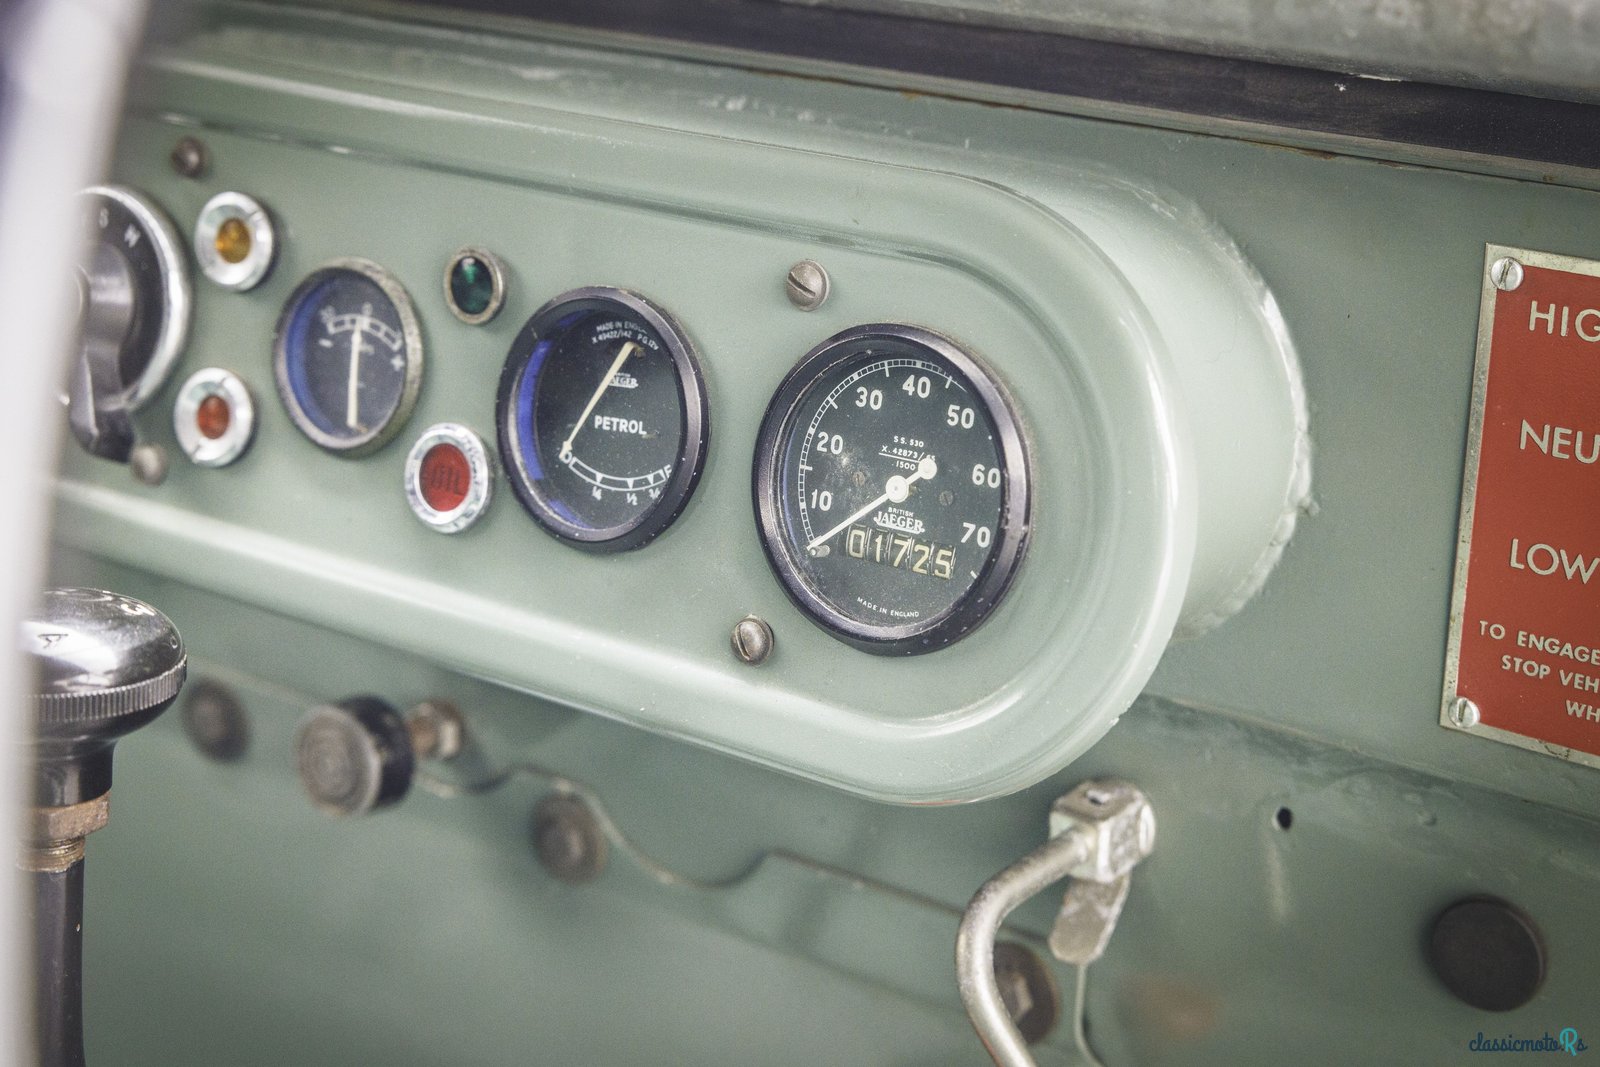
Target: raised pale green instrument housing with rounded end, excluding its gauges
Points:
(1130, 530)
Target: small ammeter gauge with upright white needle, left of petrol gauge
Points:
(350, 358)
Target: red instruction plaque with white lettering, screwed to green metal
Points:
(1524, 663)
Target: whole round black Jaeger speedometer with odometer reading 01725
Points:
(892, 489)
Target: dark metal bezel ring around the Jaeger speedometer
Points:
(1012, 530)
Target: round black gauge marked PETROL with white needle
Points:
(602, 418)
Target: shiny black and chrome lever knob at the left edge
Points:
(106, 665)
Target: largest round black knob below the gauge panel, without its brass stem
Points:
(354, 756)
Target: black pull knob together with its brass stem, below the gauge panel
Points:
(359, 756)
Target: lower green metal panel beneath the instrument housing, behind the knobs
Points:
(233, 924)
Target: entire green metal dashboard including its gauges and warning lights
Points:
(817, 471)
